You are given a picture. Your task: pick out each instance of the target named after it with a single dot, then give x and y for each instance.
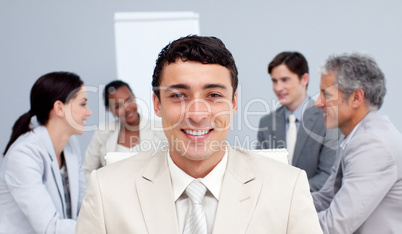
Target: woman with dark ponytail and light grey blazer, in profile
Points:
(41, 179)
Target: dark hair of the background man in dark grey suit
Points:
(294, 61)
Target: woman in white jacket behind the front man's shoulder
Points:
(129, 133)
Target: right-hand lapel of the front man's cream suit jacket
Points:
(239, 196)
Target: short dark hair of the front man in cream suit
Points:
(206, 50)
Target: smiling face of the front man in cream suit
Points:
(196, 106)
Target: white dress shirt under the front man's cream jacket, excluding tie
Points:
(213, 182)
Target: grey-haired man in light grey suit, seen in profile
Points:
(364, 192)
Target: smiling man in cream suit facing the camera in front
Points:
(199, 184)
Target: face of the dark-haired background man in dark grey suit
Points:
(288, 87)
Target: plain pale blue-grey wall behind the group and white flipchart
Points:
(37, 37)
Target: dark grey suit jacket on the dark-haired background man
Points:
(315, 149)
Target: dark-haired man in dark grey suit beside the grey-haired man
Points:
(313, 147)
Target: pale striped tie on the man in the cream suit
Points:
(196, 222)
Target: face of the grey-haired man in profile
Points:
(337, 111)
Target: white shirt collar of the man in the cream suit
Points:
(213, 181)
